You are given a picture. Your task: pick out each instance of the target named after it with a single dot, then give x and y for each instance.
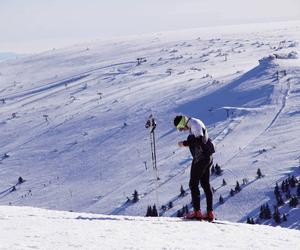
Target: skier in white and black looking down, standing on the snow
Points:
(201, 149)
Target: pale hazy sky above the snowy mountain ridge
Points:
(35, 25)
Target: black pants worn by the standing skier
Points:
(200, 172)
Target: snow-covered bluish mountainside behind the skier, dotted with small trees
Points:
(72, 120)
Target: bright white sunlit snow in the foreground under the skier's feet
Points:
(32, 228)
